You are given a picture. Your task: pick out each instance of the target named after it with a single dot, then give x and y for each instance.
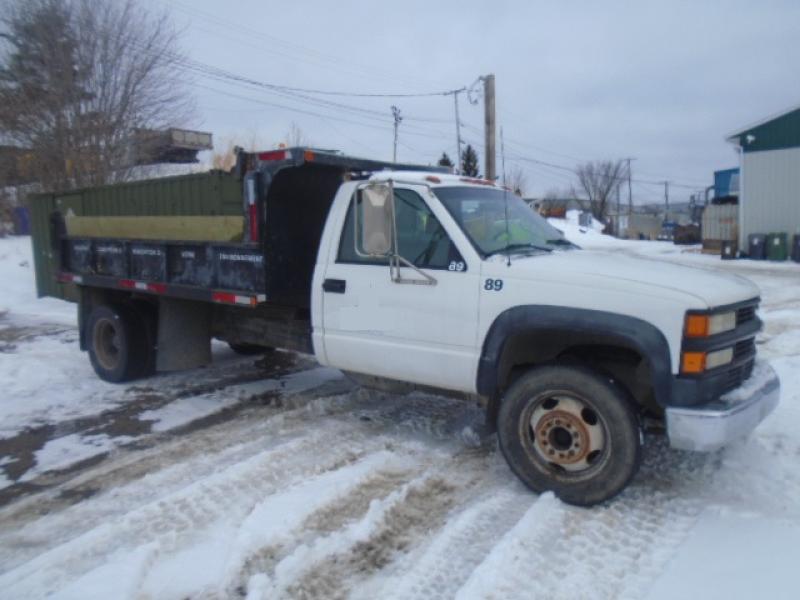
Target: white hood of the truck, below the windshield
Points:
(606, 270)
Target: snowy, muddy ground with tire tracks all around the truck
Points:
(275, 478)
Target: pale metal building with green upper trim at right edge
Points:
(769, 159)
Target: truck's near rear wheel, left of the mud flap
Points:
(118, 346)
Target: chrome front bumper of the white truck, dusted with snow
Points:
(733, 416)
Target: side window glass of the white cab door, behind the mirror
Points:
(421, 239)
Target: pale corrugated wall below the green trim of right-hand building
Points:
(770, 200)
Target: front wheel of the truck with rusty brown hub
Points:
(571, 431)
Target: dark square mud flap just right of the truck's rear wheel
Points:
(184, 334)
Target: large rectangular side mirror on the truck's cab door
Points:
(376, 235)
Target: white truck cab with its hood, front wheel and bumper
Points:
(454, 283)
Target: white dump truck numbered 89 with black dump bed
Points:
(412, 276)
